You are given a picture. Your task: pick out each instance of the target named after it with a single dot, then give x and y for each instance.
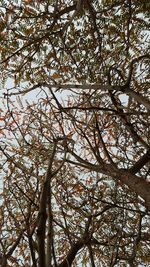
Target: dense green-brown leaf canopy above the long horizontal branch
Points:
(45, 40)
